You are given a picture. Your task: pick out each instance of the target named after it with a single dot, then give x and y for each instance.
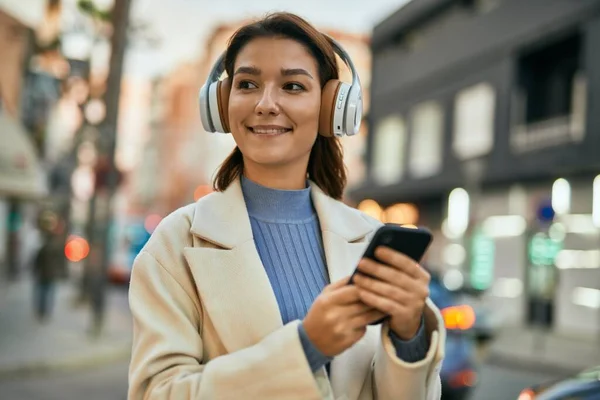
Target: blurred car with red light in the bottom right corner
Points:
(582, 386)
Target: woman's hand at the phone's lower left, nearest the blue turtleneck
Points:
(338, 318)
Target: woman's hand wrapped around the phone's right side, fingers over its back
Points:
(396, 286)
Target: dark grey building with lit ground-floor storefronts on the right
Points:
(485, 120)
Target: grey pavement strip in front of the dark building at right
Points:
(550, 351)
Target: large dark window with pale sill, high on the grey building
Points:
(550, 100)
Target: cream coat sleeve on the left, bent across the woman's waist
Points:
(168, 350)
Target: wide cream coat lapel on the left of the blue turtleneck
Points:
(231, 280)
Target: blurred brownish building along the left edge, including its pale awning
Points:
(21, 174)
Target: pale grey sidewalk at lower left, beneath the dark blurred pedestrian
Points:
(27, 346)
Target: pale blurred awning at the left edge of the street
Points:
(21, 174)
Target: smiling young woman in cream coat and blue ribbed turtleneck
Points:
(244, 294)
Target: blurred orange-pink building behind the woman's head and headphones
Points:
(188, 157)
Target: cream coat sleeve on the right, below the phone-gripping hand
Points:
(395, 379)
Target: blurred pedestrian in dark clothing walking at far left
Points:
(49, 264)
